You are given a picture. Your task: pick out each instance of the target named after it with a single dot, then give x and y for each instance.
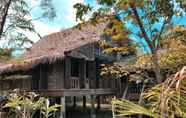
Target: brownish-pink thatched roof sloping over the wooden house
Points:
(54, 46)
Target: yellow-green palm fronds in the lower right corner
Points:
(165, 100)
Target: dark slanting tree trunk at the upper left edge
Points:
(4, 16)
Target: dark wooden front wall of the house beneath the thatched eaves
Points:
(58, 75)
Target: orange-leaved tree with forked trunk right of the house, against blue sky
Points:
(142, 21)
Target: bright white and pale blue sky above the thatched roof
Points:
(65, 18)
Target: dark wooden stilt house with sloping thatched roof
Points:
(62, 64)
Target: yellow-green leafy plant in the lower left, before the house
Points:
(23, 105)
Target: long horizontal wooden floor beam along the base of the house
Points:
(76, 92)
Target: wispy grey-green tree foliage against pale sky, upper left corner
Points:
(17, 18)
